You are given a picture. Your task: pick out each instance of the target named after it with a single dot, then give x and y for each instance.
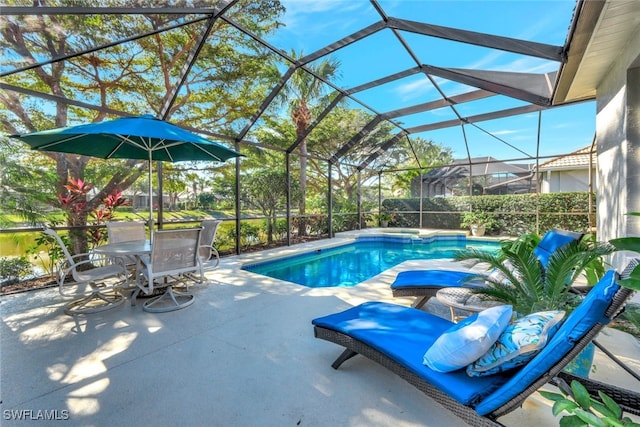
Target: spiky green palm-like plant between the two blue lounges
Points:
(529, 287)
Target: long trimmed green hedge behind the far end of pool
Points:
(515, 213)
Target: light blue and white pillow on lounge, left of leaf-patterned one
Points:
(468, 340)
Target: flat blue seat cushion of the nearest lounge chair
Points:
(403, 334)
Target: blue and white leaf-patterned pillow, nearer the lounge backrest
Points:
(518, 343)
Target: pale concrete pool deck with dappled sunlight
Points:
(242, 355)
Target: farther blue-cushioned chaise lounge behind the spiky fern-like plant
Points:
(424, 284)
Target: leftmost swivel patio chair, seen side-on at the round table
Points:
(104, 281)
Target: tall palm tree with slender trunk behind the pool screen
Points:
(305, 90)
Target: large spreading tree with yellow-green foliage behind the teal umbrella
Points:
(134, 77)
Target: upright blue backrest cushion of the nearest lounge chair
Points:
(577, 324)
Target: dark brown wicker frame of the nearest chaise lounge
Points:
(628, 400)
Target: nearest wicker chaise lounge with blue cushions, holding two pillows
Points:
(397, 337)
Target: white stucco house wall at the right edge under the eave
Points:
(618, 140)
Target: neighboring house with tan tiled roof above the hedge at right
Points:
(572, 172)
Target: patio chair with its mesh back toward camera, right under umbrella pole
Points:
(174, 260)
